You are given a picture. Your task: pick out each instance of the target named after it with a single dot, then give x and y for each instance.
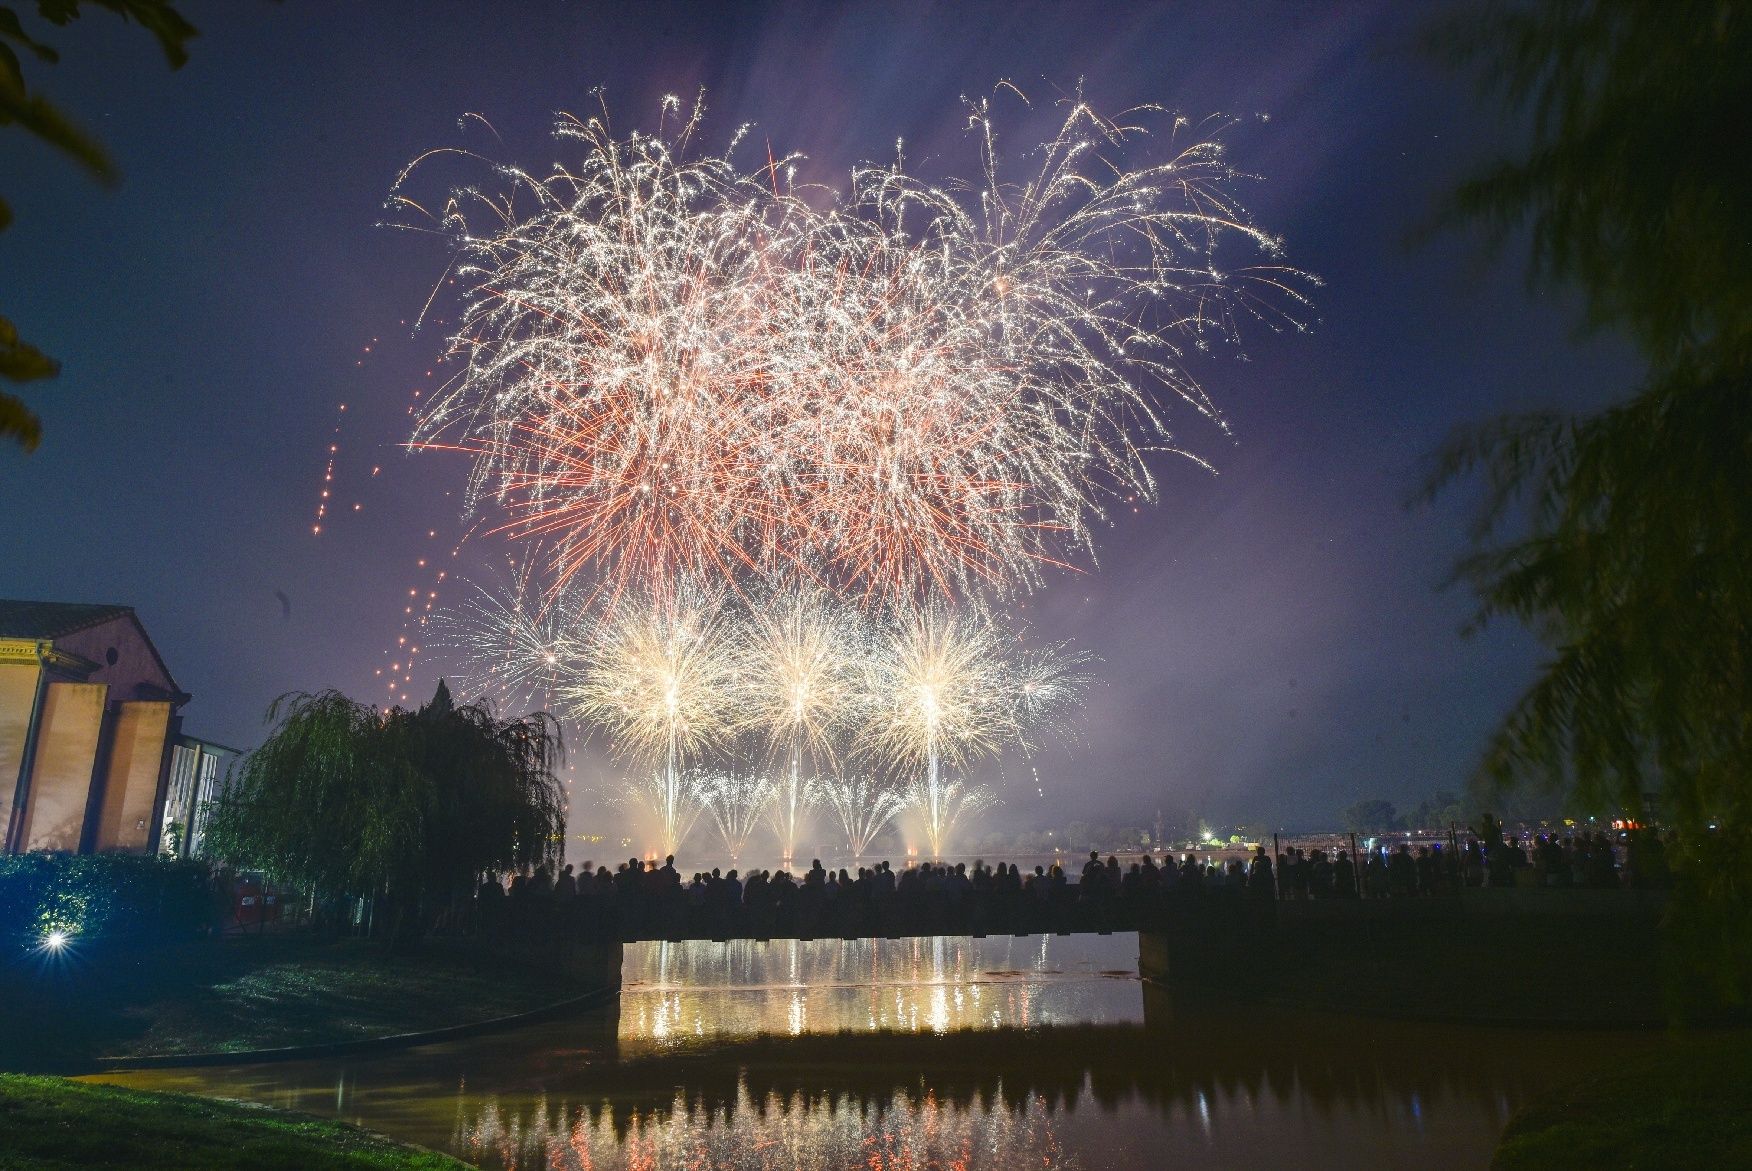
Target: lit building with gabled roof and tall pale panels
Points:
(92, 748)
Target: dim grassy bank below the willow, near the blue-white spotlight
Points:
(253, 993)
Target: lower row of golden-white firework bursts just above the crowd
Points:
(700, 686)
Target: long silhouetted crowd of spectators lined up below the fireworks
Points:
(644, 900)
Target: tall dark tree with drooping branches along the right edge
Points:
(1625, 537)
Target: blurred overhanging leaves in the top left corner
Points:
(39, 118)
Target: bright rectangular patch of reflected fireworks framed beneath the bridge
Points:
(788, 988)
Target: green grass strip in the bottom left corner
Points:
(50, 1123)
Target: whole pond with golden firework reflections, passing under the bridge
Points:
(912, 1054)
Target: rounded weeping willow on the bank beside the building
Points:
(413, 806)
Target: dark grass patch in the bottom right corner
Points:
(1685, 1105)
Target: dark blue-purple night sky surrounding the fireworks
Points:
(1273, 642)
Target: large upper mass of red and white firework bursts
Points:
(679, 369)
